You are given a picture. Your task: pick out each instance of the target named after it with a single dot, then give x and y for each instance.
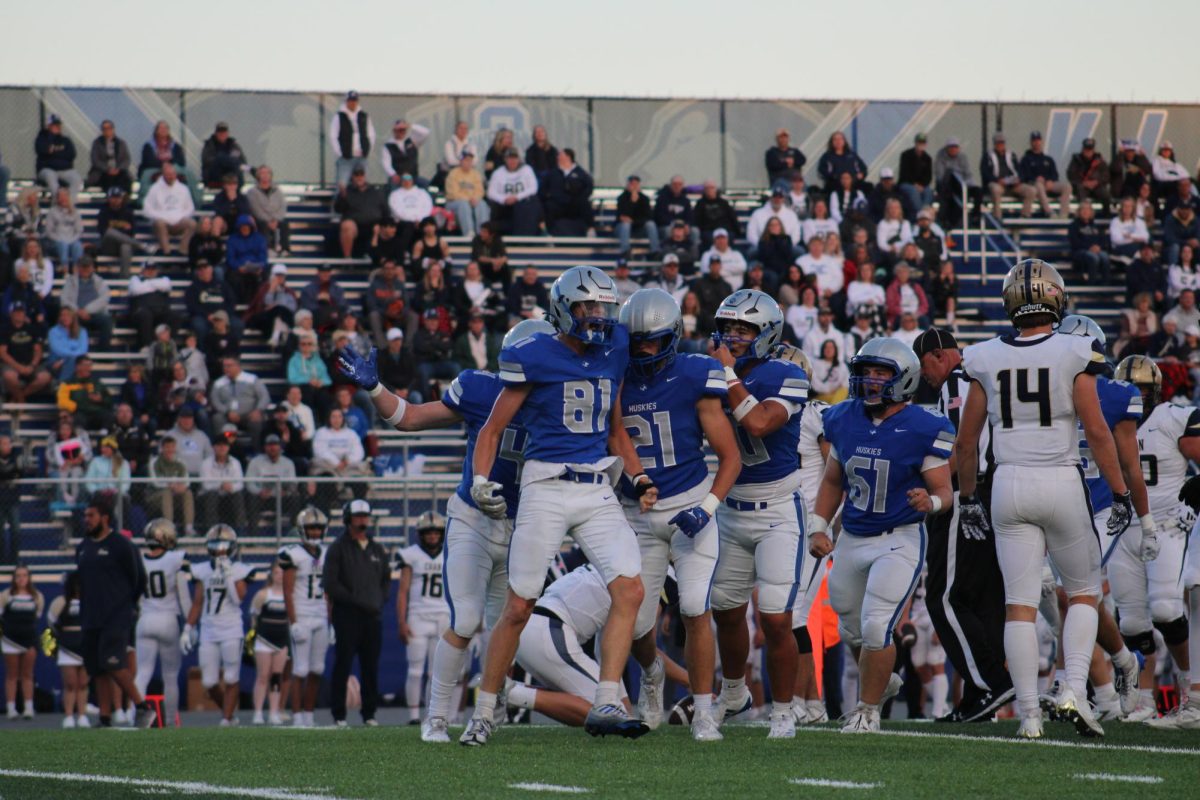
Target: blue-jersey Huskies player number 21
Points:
(671, 404)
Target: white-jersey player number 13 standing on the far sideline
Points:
(303, 564)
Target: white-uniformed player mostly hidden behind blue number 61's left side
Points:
(808, 708)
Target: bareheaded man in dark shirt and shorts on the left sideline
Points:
(112, 579)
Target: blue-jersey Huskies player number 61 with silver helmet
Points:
(892, 460)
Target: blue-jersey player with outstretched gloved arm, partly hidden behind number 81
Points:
(475, 566)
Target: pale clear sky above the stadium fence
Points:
(874, 50)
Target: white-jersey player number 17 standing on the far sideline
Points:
(217, 605)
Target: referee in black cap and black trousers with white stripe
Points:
(964, 592)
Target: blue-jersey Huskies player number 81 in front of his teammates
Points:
(568, 390)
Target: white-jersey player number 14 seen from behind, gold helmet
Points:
(1035, 384)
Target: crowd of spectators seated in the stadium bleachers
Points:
(849, 261)
